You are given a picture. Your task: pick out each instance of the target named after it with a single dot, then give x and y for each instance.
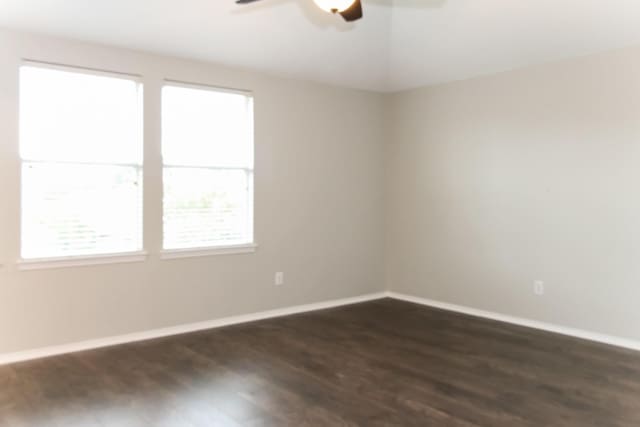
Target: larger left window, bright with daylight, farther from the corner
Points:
(81, 147)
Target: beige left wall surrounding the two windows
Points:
(318, 205)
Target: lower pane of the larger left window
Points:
(80, 210)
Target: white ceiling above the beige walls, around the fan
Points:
(399, 44)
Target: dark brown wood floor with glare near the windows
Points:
(383, 363)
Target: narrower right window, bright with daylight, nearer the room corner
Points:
(207, 150)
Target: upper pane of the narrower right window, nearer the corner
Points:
(206, 128)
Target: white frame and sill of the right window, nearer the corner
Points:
(245, 248)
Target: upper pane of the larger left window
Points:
(74, 116)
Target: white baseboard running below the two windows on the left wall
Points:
(22, 356)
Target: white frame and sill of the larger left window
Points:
(93, 259)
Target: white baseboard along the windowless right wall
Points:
(572, 332)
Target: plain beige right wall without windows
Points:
(528, 175)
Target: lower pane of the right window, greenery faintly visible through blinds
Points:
(206, 207)
